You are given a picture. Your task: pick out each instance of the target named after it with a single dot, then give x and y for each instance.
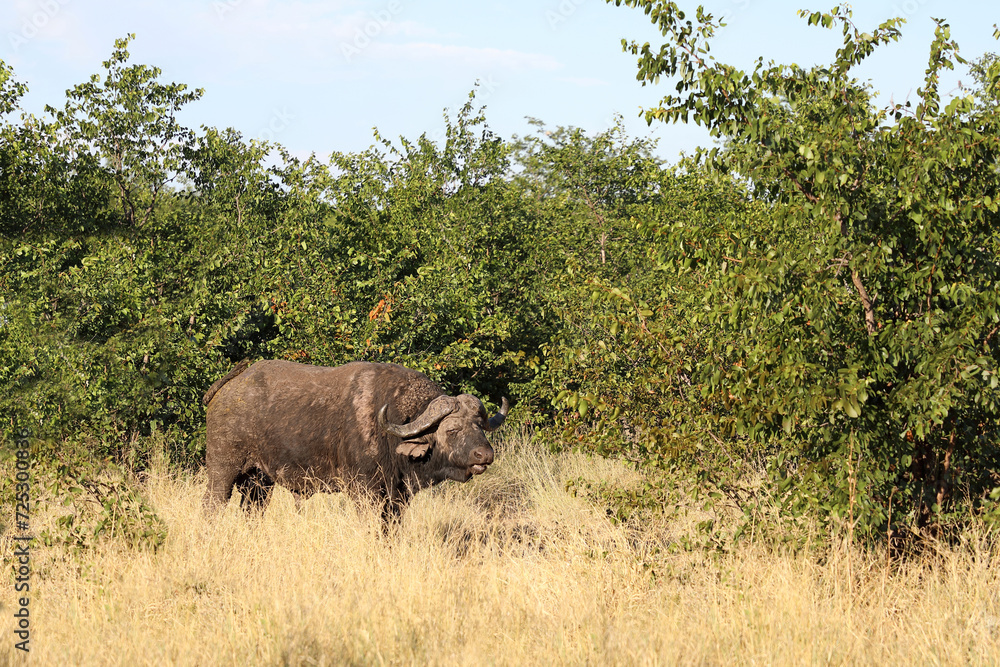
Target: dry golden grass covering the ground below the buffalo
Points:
(507, 569)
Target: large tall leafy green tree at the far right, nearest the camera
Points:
(852, 328)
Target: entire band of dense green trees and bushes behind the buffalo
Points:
(804, 317)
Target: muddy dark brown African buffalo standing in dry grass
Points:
(380, 429)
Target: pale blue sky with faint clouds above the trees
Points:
(306, 74)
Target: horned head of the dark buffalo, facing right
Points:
(449, 436)
